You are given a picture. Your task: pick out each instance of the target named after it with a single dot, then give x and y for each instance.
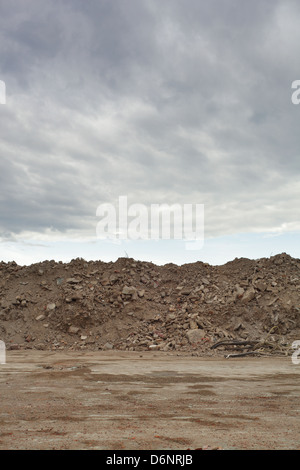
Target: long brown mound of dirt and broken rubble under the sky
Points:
(135, 305)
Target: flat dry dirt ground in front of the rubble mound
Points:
(113, 400)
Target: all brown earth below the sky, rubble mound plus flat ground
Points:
(129, 355)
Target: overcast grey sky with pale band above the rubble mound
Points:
(164, 102)
